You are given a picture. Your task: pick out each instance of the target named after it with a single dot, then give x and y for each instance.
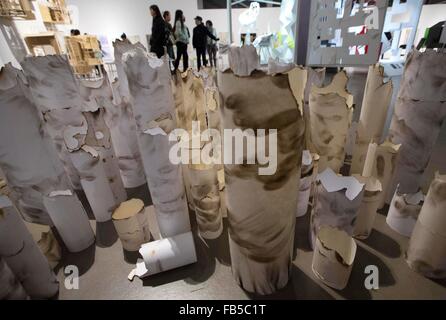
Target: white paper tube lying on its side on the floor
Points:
(164, 255)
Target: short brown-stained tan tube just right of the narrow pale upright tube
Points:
(385, 166)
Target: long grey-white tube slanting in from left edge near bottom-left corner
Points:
(18, 249)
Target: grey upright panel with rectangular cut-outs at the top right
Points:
(345, 32)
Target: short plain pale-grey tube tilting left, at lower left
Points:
(70, 220)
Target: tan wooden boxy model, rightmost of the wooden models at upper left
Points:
(84, 53)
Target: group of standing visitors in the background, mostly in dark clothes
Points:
(165, 37)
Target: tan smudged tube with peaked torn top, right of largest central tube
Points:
(331, 110)
